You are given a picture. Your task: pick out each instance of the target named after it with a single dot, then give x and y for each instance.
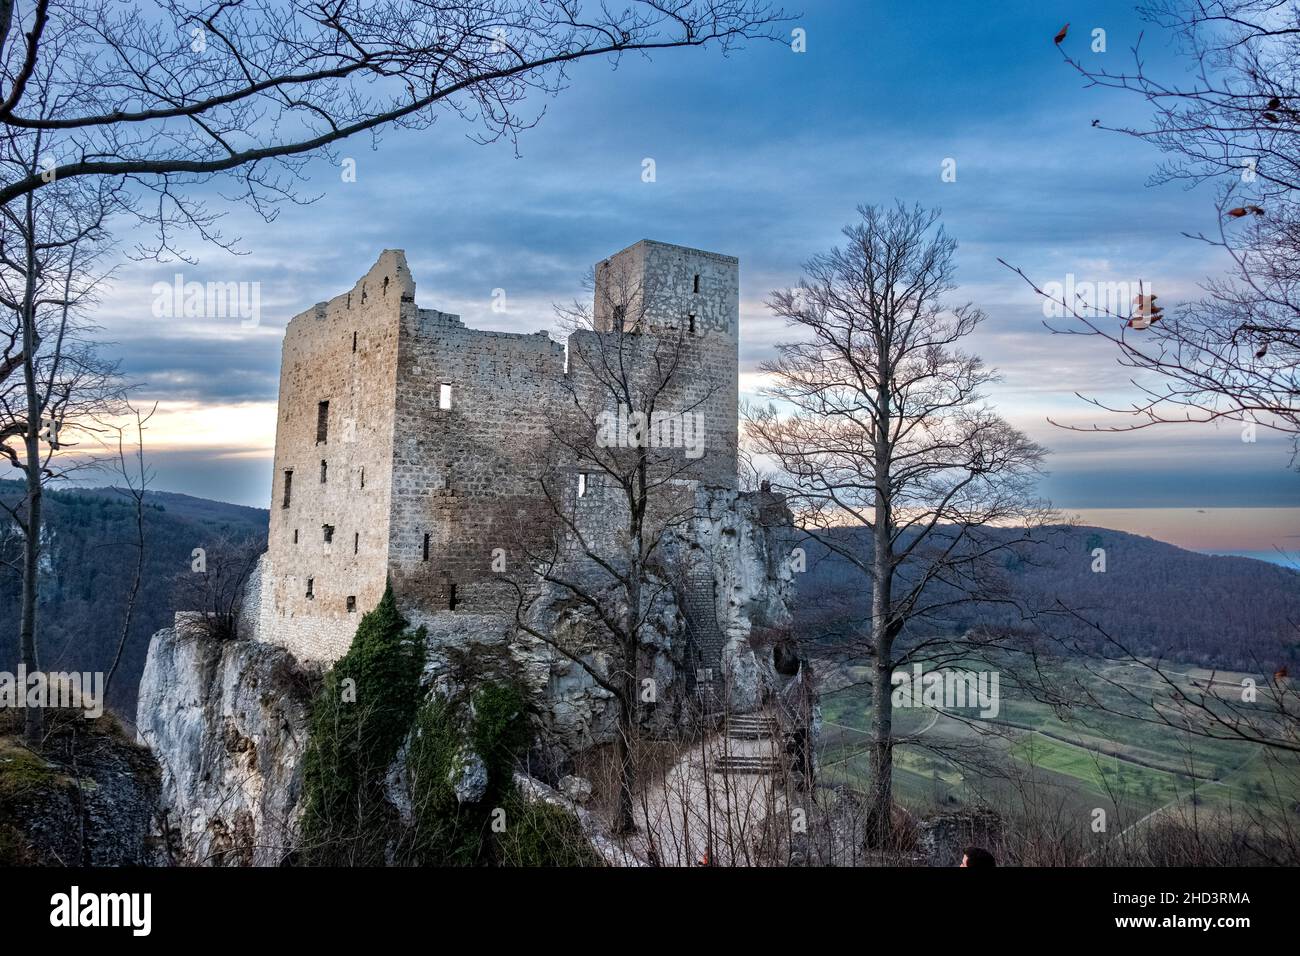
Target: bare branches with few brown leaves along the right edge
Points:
(1233, 120)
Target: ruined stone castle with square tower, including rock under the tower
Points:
(413, 449)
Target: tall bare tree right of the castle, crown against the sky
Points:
(889, 453)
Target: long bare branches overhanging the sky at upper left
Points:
(167, 94)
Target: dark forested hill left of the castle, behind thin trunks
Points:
(88, 568)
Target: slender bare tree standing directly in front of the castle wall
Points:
(613, 494)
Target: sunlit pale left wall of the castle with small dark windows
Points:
(343, 352)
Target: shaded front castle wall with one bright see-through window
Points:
(466, 478)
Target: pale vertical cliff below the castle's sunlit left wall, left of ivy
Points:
(228, 724)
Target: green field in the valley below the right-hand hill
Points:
(1072, 763)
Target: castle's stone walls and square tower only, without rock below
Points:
(409, 444)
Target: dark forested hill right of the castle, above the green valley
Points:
(1160, 600)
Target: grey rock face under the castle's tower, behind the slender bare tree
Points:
(736, 551)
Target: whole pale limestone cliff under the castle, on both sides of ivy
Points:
(228, 719)
